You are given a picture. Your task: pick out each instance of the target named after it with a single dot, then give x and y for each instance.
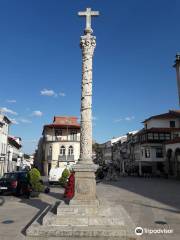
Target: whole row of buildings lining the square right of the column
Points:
(154, 150)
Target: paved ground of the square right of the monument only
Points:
(152, 203)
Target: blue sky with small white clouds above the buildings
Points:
(40, 63)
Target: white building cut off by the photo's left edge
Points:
(4, 131)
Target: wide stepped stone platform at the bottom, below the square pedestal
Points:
(82, 222)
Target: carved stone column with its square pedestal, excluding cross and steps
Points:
(85, 184)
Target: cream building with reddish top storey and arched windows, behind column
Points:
(60, 145)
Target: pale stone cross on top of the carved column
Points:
(88, 14)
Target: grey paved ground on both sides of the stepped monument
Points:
(152, 204)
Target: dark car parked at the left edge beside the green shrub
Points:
(16, 183)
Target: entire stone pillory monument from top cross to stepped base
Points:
(86, 216)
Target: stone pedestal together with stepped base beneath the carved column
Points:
(85, 217)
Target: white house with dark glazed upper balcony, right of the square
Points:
(150, 145)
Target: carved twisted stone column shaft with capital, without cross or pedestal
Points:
(87, 44)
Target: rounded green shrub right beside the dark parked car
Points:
(35, 180)
